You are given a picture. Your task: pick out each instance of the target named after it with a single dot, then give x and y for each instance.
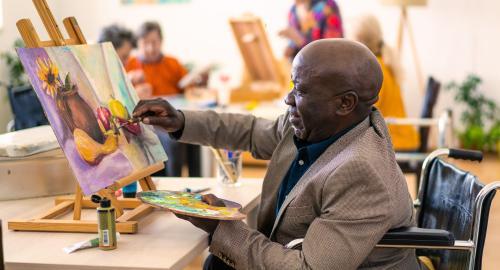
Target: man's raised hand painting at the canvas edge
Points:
(160, 113)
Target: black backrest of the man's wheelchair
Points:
(448, 201)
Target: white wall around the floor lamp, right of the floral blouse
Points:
(453, 38)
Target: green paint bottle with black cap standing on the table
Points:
(106, 222)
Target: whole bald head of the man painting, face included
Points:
(336, 82)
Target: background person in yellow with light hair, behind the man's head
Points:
(366, 29)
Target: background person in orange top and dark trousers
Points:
(163, 73)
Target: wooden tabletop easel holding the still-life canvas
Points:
(125, 222)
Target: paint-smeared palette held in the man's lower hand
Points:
(190, 204)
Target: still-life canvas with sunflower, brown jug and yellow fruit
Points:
(88, 100)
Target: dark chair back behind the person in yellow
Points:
(430, 99)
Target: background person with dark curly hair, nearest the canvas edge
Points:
(124, 42)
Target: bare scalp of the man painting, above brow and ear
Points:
(342, 65)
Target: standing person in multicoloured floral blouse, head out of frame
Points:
(324, 21)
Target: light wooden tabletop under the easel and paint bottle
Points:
(163, 241)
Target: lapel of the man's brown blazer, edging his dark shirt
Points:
(327, 158)
